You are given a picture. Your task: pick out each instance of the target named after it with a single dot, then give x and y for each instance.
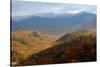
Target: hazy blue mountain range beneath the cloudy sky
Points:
(56, 23)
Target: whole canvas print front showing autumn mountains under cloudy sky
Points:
(50, 33)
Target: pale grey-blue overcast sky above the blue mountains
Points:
(28, 8)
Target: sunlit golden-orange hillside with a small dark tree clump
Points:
(25, 43)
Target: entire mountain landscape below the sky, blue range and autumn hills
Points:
(77, 45)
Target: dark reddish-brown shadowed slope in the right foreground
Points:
(72, 47)
